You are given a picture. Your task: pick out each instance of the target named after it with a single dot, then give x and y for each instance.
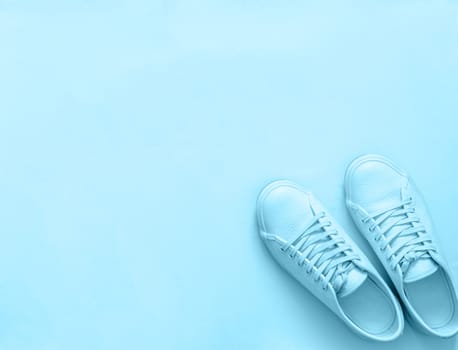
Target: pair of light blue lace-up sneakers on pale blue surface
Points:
(389, 211)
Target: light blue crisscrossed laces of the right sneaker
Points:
(419, 242)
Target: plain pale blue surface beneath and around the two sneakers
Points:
(135, 136)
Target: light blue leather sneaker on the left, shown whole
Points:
(307, 242)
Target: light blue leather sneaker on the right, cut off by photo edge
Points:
(390, 213)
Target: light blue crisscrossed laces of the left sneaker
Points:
(325, 254)
